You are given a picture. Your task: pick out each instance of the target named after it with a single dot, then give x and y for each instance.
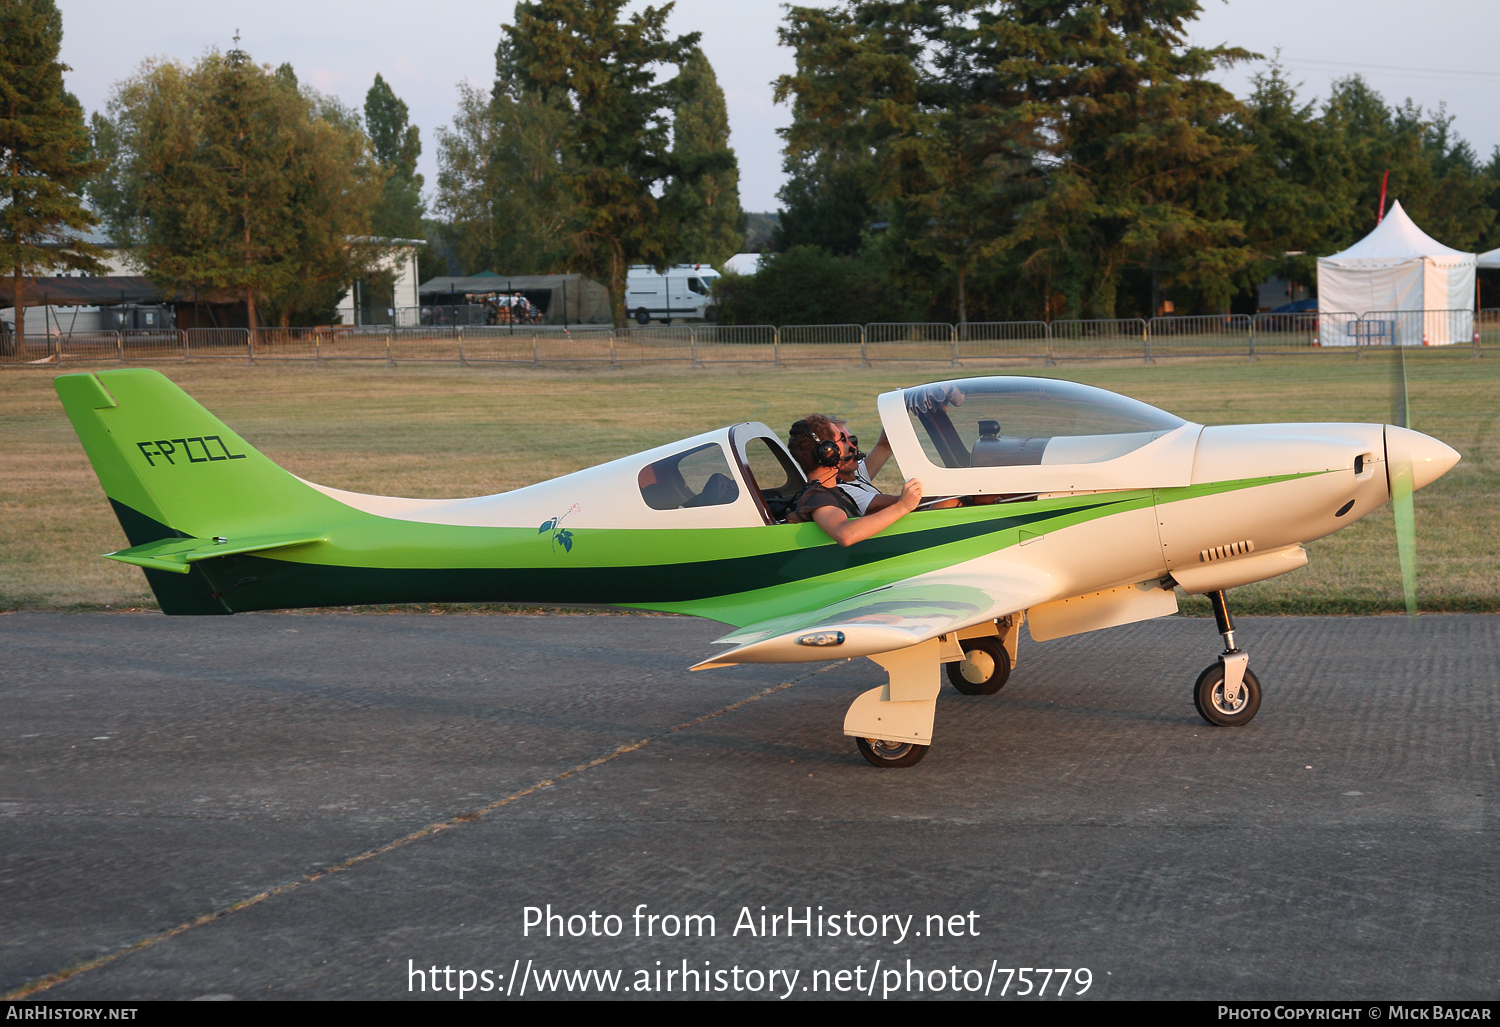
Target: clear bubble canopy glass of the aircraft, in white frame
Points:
(1015, 422)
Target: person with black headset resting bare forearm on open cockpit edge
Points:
(821, 448)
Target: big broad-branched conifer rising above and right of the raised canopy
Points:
(1127, 115)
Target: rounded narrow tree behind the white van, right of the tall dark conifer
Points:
(704, 197)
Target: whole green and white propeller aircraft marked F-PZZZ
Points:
(1091, 509)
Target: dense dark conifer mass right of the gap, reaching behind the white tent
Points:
(1036, 160)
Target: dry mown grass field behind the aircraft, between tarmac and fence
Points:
(443, 431)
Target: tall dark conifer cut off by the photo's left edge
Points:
(44, 152)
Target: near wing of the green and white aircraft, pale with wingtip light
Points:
(887, 618)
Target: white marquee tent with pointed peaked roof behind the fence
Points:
(1397, 269)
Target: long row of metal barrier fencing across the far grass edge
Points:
(845, 344)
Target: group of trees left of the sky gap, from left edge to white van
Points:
(230, 181)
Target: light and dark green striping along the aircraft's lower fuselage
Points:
(733, 575)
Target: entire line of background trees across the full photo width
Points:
(947, 160)
